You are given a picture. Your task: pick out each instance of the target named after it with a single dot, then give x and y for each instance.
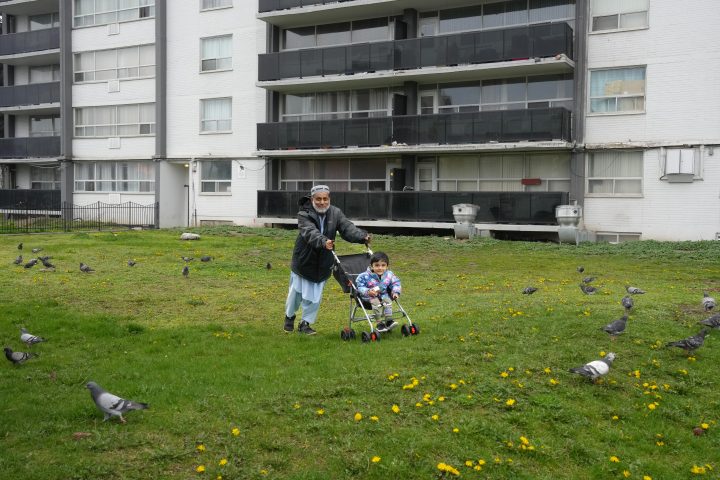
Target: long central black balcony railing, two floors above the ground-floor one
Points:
(534, 41)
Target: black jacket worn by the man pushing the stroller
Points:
(311, 260)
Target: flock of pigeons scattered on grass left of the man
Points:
(111, 405)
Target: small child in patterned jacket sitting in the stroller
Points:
(379, 286)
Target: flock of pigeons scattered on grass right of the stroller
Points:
(599, 368)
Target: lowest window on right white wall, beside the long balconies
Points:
(615, 174)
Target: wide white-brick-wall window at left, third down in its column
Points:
(115, 120)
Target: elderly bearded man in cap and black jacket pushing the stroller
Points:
(312, 259)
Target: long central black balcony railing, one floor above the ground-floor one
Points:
(542, 124)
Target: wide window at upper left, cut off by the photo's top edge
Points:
(102, 12)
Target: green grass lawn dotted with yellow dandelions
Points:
(484, 389)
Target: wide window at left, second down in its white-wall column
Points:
(120, 63)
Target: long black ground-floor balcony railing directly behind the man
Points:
(494, 207)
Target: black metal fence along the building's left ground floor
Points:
(69, 217)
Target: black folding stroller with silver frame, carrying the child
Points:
(346, 270)
